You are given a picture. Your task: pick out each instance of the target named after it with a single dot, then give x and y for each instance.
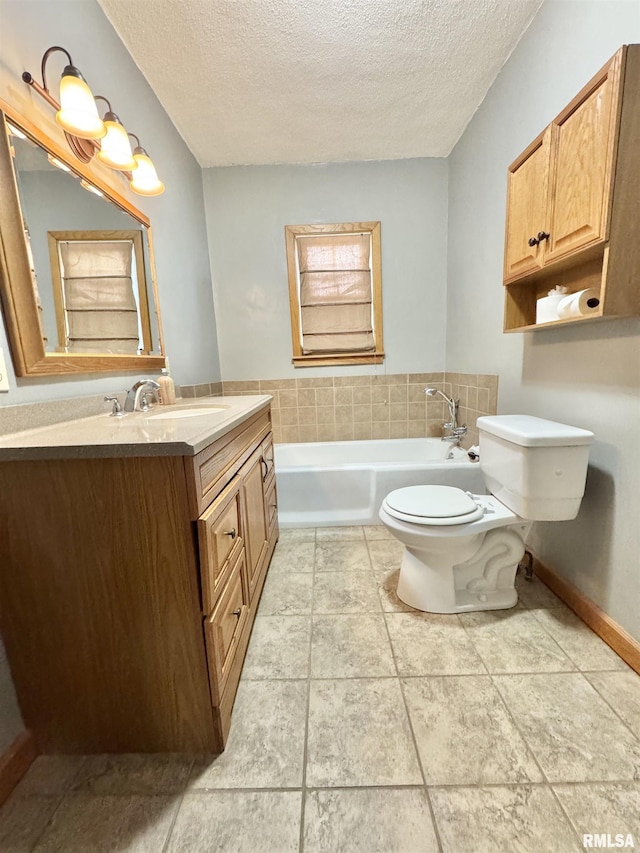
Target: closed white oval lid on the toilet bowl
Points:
(437, 505)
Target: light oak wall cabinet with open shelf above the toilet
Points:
(573, 202)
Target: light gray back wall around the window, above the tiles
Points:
(247, 209)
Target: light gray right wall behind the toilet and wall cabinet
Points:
(586, 375)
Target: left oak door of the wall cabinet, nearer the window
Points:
(527, 204)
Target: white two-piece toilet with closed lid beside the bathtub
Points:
(462, 550)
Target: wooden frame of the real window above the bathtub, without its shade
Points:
(299, 358)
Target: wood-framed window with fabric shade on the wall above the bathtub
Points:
(335, 293)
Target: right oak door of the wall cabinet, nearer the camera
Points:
(584, 142)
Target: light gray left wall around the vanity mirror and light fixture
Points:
(177, 217)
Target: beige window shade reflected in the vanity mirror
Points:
(100, 307)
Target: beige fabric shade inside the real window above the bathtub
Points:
(336, 293)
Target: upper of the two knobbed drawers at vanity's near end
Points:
(220, 540)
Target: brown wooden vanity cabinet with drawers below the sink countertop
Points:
(127, 600)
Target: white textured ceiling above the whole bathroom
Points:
(307, 81)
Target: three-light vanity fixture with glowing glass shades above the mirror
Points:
(87, 133)
